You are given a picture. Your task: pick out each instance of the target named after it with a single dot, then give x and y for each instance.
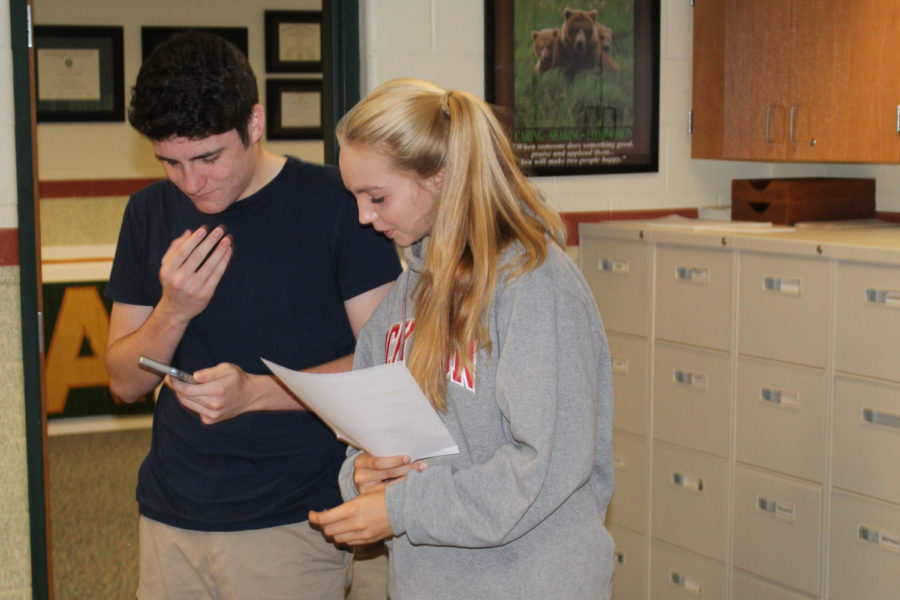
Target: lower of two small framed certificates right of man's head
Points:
(294, 109)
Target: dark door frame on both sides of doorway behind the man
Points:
(341, 33)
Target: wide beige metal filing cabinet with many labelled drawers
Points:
(770, 417)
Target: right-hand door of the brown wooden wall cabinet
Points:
(846, 101)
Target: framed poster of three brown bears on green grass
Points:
(577, 83)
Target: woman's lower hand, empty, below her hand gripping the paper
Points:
(363, 520)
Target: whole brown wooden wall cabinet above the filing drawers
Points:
(798, 80)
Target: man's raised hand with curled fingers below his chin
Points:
(191, 269)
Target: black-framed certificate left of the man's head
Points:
(79, 73)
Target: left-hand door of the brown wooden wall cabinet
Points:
(740, 79)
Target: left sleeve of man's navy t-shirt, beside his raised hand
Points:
(128, 281)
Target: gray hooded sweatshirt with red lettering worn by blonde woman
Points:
(519, 512)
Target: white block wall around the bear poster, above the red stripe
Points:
(443, 40)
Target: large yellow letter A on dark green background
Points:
(81, 316)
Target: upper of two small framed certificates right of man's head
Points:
(293, 41)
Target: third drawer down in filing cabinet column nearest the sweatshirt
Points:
(629, 504)
